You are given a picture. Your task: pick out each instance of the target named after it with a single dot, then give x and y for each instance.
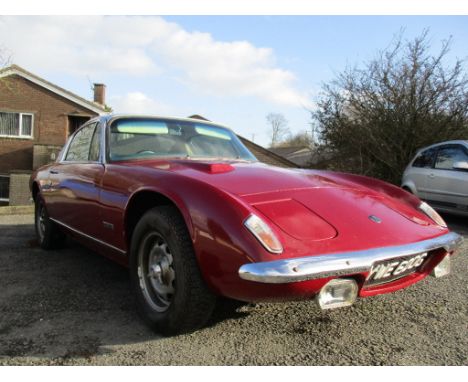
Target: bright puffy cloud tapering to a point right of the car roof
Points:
(227, 68)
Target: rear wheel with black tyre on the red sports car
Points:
(49, 235)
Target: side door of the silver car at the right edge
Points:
(446, 185)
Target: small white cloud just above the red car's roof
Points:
(139, 103)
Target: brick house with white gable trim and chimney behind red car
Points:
(36, 118)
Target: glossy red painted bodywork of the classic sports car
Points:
(215, 198)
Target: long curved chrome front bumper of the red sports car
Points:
(339, 264)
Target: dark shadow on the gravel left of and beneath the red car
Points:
(68, 303)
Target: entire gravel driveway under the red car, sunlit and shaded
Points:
(74, 307)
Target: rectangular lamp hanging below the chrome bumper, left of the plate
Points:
(337, 293)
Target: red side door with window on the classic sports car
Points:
(76, 180)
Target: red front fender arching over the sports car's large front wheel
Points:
(214, 219)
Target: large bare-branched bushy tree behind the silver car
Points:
(374, 118)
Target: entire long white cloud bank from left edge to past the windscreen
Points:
(147, 46)
